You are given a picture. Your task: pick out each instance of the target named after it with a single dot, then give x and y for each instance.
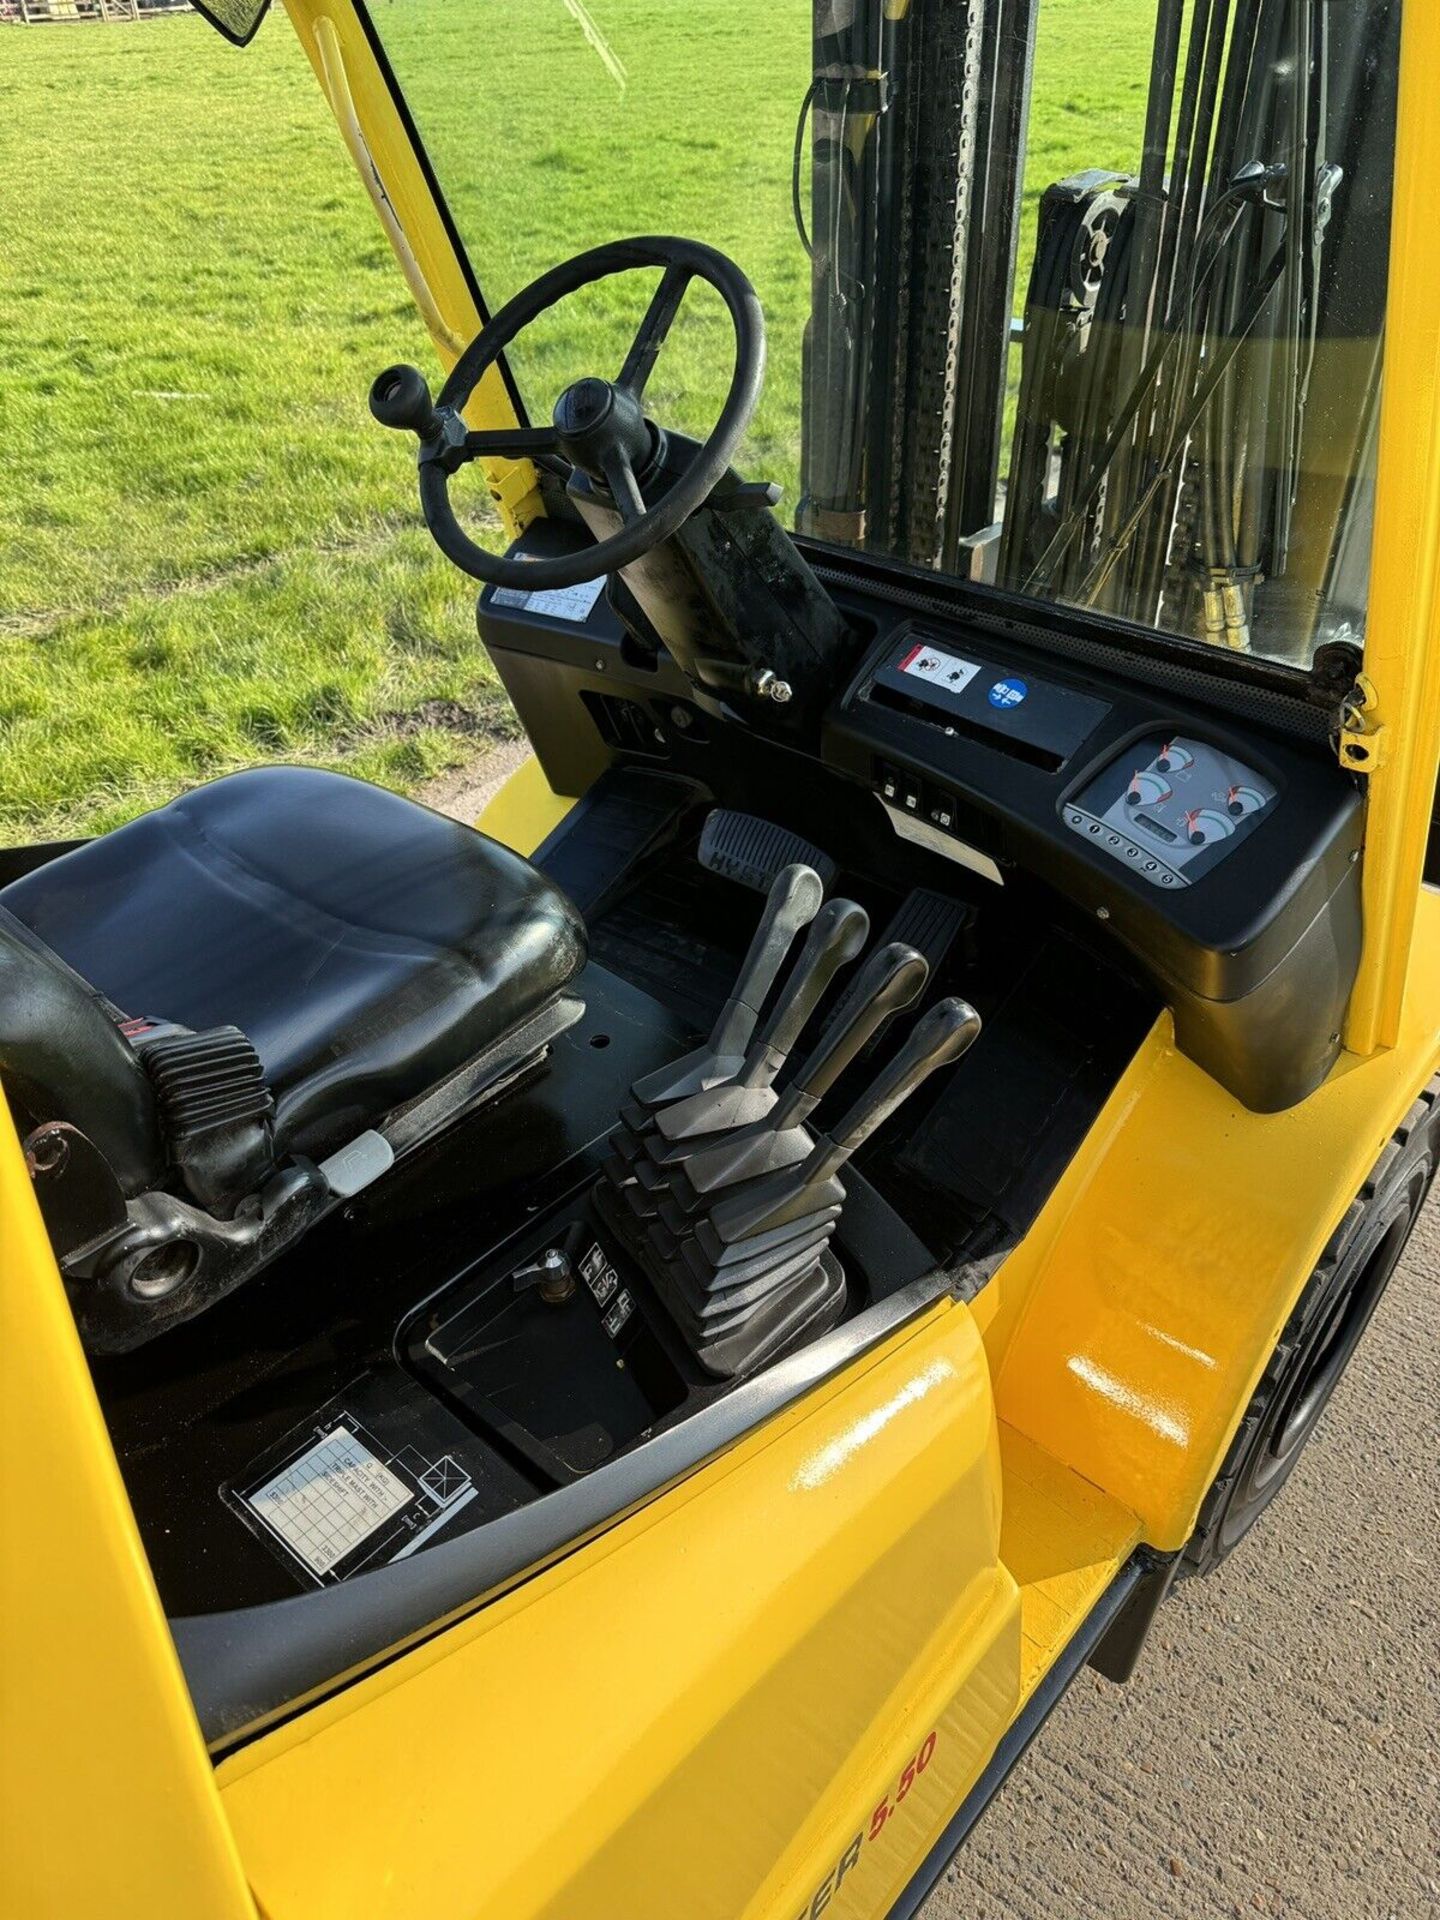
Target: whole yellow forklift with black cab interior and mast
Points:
(615, 1366)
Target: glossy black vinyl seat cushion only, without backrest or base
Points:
(366, 946)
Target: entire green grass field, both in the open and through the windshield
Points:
(208, 554)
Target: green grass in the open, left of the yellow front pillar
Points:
(208, 552)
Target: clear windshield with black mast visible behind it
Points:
(1078, 299)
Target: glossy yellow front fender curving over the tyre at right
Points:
(1134, 1324)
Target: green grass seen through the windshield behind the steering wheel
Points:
(698, 143)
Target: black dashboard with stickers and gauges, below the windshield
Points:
(1220, 850)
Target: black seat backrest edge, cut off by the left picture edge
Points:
(62, 1057)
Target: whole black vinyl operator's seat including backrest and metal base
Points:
(233, 1013)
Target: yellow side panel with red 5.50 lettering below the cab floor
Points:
(700, 1712)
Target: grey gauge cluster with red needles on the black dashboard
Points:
(1170, 807)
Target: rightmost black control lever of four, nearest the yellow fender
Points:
(788, 1199)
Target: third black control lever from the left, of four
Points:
(890, 982)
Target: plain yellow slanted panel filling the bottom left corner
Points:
(108, 1804)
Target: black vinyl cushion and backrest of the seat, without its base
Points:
(368, 949)
